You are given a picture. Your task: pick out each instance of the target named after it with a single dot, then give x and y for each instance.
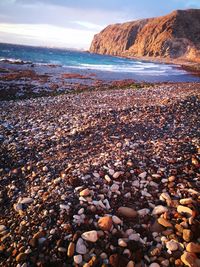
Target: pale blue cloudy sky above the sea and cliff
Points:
(73, 23)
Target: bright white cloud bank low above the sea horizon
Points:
(47, 35)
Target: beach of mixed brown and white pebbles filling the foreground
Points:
(101, 178)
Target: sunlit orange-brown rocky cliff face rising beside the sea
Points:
(174, 36)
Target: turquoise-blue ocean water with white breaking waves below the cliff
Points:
(105, 67)
